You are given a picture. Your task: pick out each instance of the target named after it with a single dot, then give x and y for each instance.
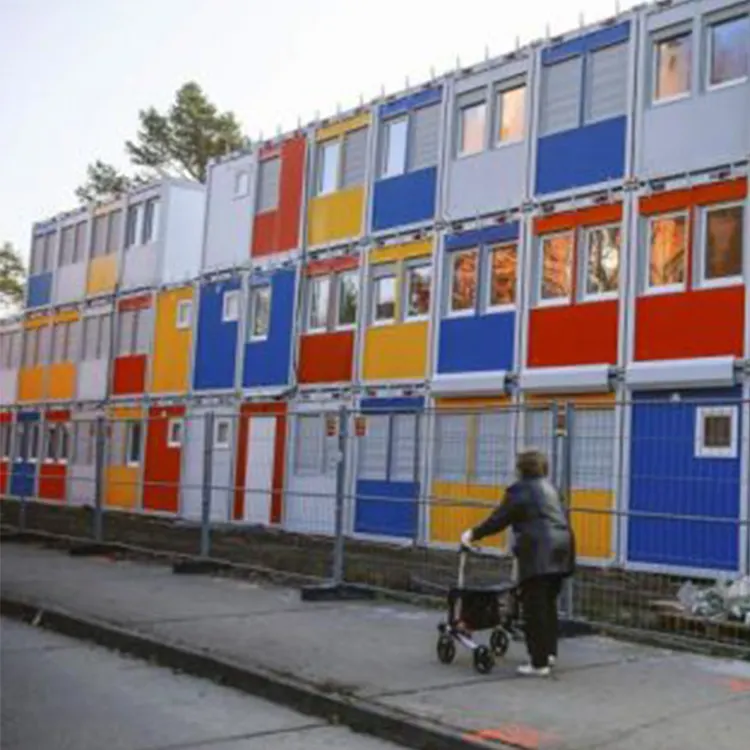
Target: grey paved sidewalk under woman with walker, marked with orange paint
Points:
(605, 693)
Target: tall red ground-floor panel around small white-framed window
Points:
(161, 490)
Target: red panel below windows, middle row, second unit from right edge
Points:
(582, 334)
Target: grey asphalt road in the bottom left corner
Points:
(62, 694)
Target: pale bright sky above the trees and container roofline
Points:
(75, 73)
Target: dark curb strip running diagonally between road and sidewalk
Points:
(359, 715)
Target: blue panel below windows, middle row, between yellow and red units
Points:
(477, 343)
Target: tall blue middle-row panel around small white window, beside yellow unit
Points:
(216, 346)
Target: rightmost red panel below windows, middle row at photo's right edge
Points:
(705, 323)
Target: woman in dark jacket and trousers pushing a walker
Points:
(545, 549)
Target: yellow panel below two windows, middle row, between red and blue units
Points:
(395, 352)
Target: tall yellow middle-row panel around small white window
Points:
(172, 346)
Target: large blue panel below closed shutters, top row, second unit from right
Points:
(585, 156)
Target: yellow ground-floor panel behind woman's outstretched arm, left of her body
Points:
(457, 506)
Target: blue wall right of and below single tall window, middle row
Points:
(267, 362)
